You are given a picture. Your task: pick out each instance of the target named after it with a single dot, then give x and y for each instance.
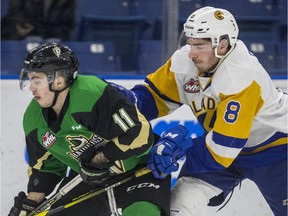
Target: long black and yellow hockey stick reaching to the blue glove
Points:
(137, 174)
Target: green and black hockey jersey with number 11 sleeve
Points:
(94, 114)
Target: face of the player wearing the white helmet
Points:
(202, 54)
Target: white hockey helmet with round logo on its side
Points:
(210, 22)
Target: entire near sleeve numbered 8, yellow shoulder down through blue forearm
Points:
(235, 114)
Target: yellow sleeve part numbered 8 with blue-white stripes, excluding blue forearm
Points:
(235, 115)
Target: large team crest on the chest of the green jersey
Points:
(78, 144)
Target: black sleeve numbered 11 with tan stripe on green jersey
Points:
(118, 121)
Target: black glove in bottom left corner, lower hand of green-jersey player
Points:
(22, 205)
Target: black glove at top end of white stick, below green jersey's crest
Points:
(94, 174)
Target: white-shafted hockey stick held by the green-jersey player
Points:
(64, 190)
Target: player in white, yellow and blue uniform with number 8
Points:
(242, 113)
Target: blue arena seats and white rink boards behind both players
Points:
(263, 27)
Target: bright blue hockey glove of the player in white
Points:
(163, 156)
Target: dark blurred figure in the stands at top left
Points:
(43, 18)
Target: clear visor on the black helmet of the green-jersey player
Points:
(32, 79)
